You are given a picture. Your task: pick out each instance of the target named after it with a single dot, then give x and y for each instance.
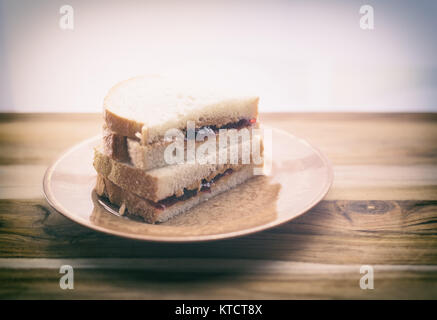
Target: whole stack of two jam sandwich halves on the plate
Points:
(157, 157)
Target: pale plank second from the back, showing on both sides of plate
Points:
(355, 182)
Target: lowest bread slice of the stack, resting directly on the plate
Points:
(132, 204)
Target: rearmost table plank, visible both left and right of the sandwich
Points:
(399, 139)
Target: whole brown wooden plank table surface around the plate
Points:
(381, 211)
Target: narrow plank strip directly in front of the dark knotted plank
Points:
(204, 265)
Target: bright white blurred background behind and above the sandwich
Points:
(298, 55)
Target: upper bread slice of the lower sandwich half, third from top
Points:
(160, 183)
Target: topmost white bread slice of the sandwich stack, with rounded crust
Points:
(146, 107)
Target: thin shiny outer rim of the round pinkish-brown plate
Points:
(51, 200)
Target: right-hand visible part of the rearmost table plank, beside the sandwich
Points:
(365, 139)
